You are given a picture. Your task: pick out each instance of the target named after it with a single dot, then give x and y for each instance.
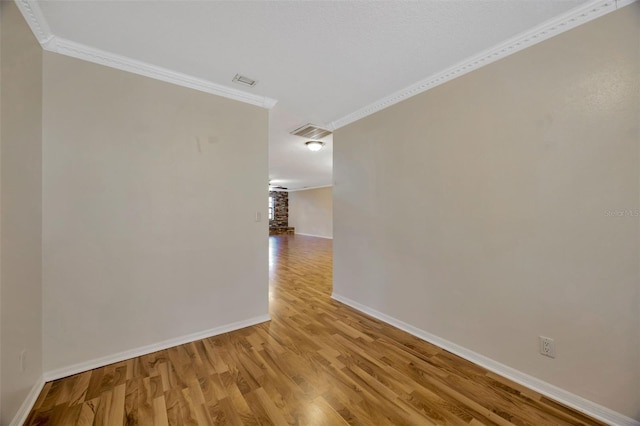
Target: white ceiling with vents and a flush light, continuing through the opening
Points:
(322, 61)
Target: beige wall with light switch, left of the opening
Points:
(150, 196)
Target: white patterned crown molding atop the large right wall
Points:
(553, 27)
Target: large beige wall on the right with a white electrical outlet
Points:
(480, 211)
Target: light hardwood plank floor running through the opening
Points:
(317, 362)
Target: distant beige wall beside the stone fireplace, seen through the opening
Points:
(311, 212)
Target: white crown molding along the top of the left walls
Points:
(34, 17)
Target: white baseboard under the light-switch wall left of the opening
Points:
(144, 350)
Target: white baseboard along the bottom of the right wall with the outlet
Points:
(564, 397)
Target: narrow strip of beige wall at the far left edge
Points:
(21, 214)
